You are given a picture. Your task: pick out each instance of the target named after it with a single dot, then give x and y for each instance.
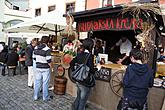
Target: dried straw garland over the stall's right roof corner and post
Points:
(149, 11)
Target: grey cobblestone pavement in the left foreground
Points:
(16, 95)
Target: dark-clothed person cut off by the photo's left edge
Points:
(3, 59)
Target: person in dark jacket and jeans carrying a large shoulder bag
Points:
(84, 87)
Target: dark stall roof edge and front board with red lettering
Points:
(107, 18)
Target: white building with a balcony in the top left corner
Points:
(12, 12)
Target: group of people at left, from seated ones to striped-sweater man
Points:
(35, 58)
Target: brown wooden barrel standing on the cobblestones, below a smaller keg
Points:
(60, 85)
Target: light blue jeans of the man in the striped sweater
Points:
(42, 77)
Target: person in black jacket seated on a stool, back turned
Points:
(12, 62)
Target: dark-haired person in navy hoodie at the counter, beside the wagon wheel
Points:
(137, 81)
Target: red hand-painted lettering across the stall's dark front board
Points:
(109, 24)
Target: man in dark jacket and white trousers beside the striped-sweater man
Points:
(29, 61)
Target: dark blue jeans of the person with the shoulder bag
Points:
(82, 97)
